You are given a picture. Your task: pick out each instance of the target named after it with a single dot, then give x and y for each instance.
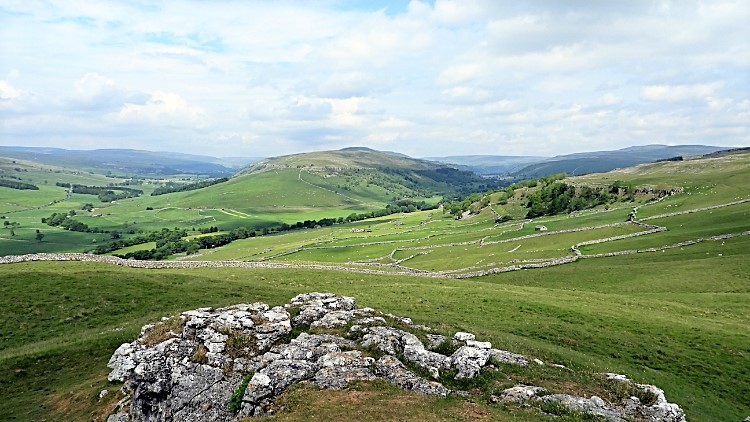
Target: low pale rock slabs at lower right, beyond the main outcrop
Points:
(657, 408)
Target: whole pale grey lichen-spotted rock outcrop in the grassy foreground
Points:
(231, 363)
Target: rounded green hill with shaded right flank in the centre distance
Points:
(314, 185)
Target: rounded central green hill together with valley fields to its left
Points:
(274, 192)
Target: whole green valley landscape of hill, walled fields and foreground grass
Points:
(647, 274)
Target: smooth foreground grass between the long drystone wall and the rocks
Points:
(674, 319)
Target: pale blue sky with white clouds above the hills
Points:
(426, 78)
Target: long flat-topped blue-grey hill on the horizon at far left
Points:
(128, 161)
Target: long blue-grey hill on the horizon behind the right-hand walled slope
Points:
(604, 161)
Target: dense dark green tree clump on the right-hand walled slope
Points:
(559, 198)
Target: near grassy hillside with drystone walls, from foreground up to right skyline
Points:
(661, 298)
